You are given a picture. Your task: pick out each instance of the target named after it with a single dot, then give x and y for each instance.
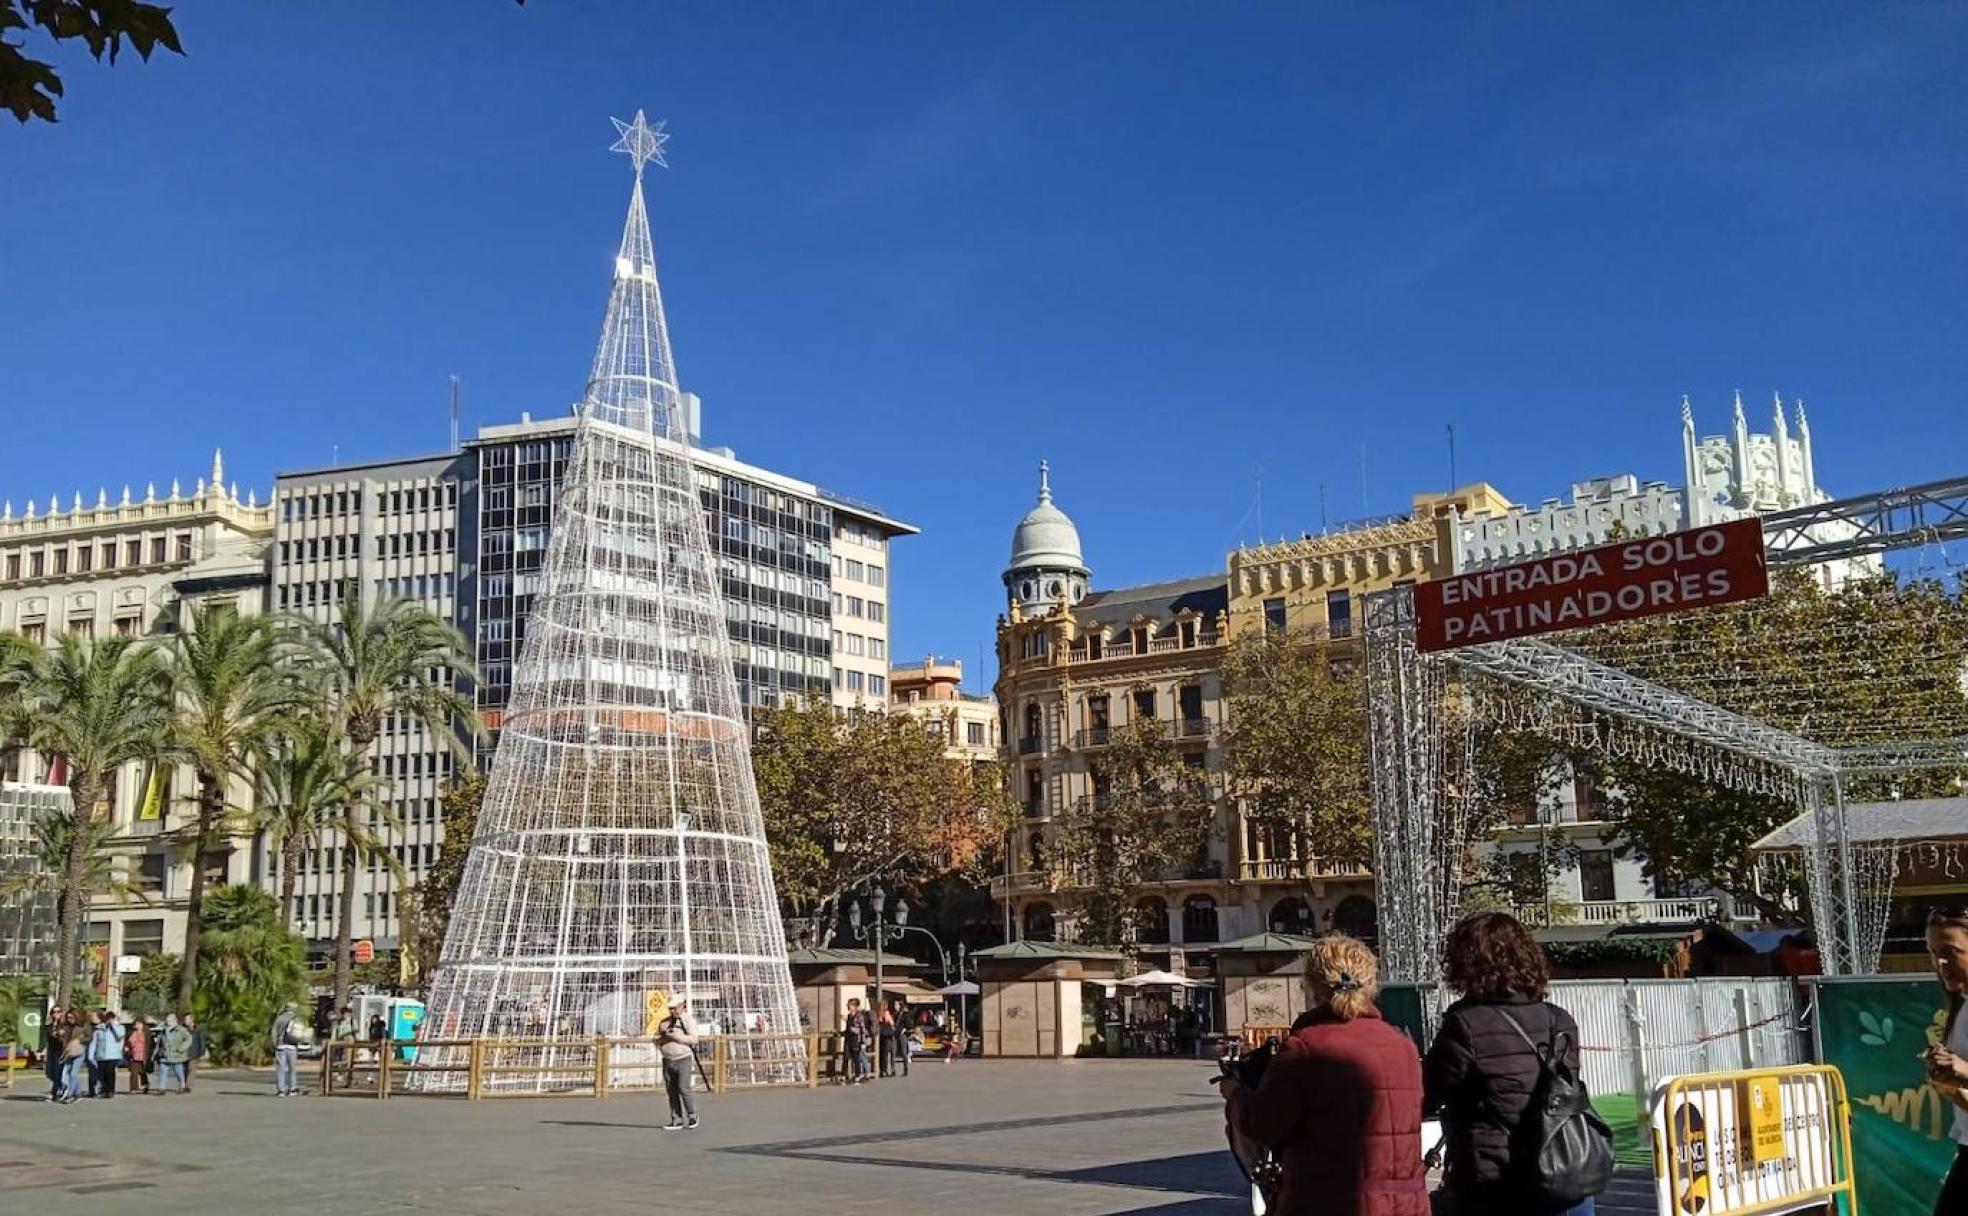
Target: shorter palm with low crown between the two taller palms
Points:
(306, 782)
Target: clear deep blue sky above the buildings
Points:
(912, 249)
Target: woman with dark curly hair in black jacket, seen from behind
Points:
(1481, 1071)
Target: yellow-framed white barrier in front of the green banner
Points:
(1753, 1144)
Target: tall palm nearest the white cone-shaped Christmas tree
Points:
(375, 662)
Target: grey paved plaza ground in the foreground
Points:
(975, 1136)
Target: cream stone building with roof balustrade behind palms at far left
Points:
(135, 566)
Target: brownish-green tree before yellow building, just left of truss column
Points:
(1296, 743)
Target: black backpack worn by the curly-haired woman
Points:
(1562, 1152)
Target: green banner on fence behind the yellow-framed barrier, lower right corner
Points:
(1875, 1032)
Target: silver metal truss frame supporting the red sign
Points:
(1418, 766)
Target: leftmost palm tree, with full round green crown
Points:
(99, 705)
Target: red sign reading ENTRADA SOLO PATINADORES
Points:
(1701, 568)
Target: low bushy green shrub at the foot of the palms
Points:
(253, 967)
